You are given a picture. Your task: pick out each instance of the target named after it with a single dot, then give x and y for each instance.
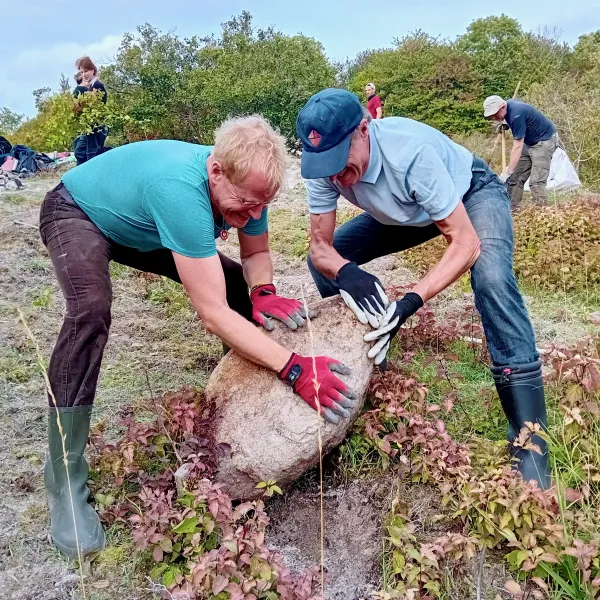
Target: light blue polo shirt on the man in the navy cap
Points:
(416, 175)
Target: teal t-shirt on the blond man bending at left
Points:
(152, 194)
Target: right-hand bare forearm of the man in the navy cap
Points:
(458, 259)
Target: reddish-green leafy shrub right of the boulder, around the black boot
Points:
(551, 540)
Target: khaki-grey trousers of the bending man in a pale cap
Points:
(534, 165)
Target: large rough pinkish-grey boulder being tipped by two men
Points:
(272, 432)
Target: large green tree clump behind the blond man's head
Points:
(183, 88)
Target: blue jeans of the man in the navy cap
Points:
(507, 327)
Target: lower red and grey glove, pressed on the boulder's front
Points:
(322, 388)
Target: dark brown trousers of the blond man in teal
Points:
(80, 255)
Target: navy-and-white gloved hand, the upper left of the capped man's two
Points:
(362, 293)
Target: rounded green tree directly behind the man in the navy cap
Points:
(426, 79)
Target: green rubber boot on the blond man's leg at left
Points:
(90, 536)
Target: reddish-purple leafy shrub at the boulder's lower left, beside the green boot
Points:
(202, 547)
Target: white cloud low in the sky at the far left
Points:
(34, 68)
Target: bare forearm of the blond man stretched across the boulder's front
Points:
(246, 339)
